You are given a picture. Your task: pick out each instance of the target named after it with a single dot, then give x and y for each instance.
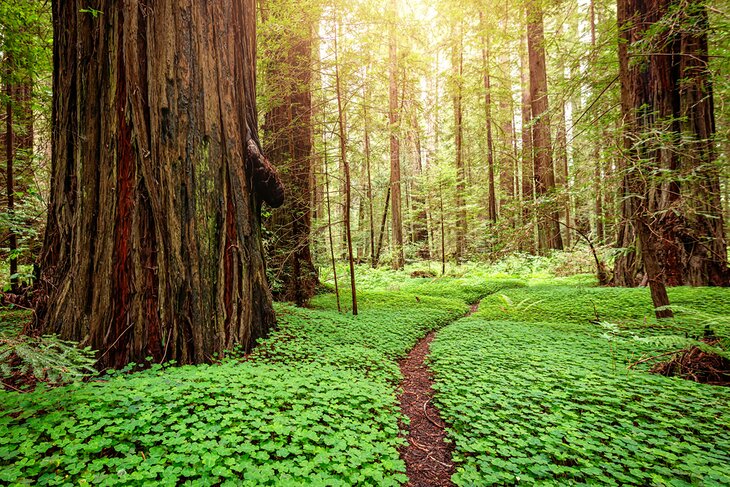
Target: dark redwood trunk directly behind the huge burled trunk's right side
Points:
(288, 143)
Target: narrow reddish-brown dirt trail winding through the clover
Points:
(427, 455)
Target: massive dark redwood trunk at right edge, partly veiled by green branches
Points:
(669, 121)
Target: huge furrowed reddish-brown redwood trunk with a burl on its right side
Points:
(153, 244)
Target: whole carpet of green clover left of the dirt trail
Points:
(316, 403)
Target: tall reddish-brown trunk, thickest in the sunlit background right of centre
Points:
(548, 228)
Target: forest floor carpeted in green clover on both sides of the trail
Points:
(547, 382)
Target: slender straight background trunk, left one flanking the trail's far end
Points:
(457, 60)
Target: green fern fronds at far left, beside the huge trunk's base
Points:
(47, 358)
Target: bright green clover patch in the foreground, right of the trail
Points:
(555, 404)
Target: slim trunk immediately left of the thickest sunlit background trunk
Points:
(528, 174)
